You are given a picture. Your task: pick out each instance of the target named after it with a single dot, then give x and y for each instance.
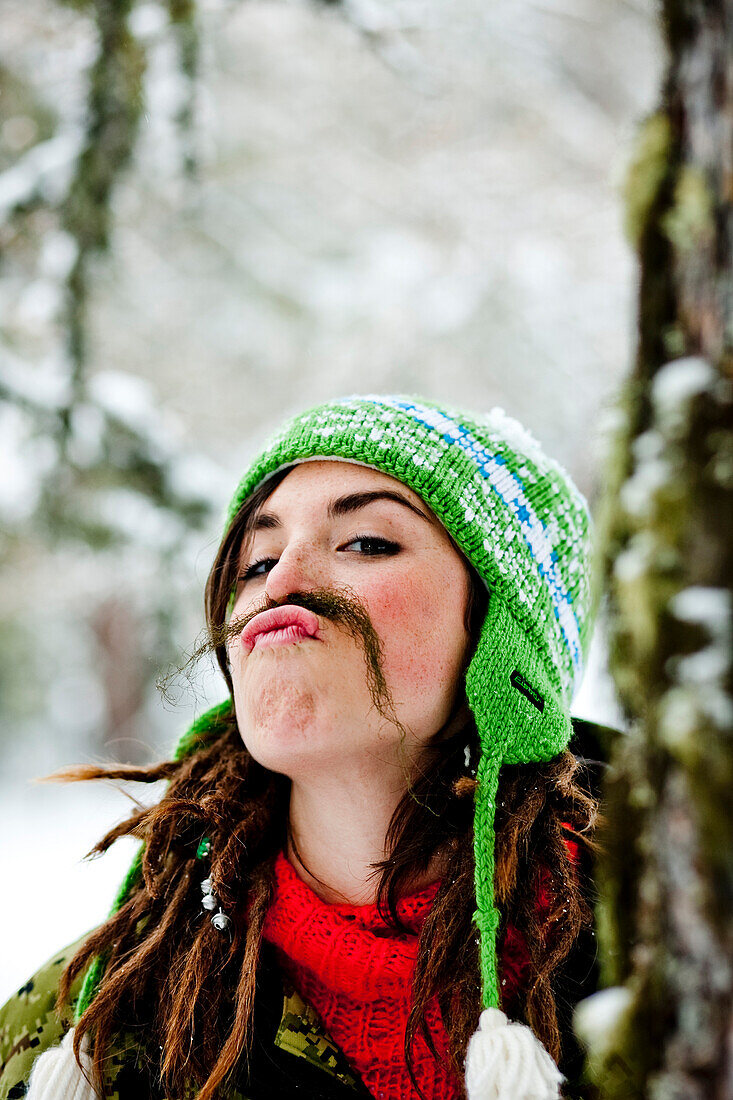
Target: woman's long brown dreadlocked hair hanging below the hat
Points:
(191, 993)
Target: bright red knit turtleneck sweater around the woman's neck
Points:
(357, 974)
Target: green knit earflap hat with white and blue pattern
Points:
(523, 525)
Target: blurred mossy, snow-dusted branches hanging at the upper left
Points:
(62, 193)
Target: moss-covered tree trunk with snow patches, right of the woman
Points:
(665, 921)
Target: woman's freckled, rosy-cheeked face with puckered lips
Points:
(304, 703)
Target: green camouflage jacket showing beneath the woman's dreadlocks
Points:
(293, 1055)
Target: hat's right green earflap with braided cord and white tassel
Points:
(520, 718)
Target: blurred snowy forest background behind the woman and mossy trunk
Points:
(305, 200)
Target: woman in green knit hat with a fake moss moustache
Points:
(380, 838)
